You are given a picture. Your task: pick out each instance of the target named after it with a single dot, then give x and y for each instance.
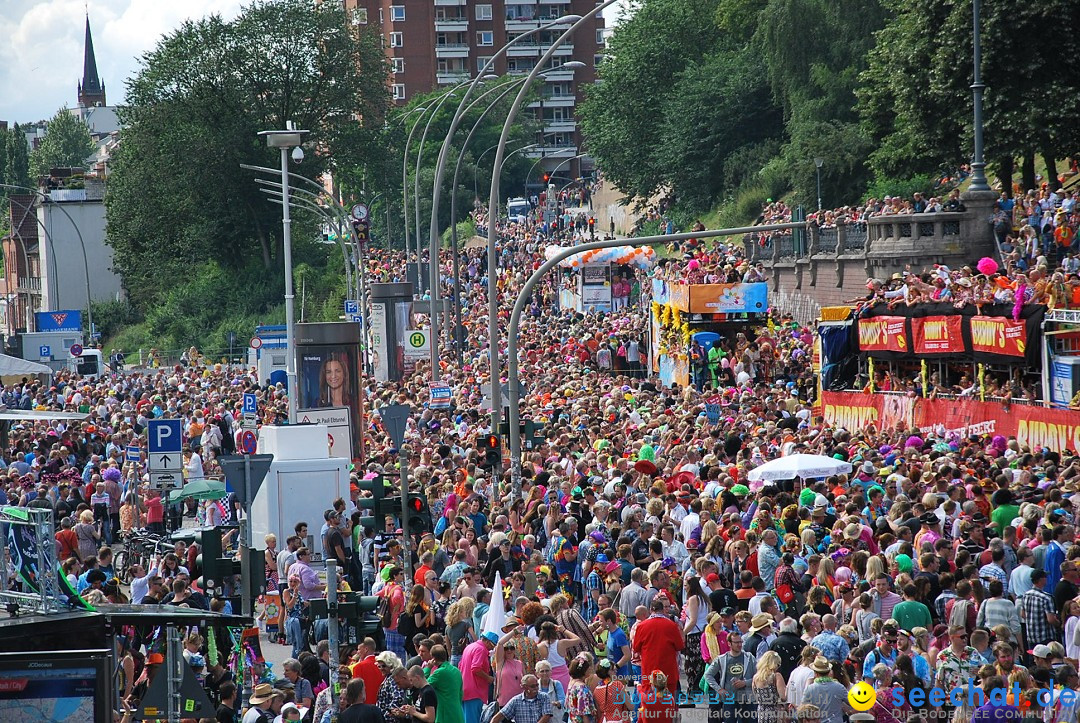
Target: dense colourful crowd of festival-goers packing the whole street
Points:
(641, 570)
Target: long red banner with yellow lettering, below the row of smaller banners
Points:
(1036, 427)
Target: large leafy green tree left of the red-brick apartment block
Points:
(178, 197)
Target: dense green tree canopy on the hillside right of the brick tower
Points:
(709, 99)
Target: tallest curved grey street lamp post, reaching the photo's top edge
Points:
(493, 208)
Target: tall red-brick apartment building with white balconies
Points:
(440, 44)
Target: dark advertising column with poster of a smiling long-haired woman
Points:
(328, 363)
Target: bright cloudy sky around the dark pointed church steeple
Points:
(42, 57)
